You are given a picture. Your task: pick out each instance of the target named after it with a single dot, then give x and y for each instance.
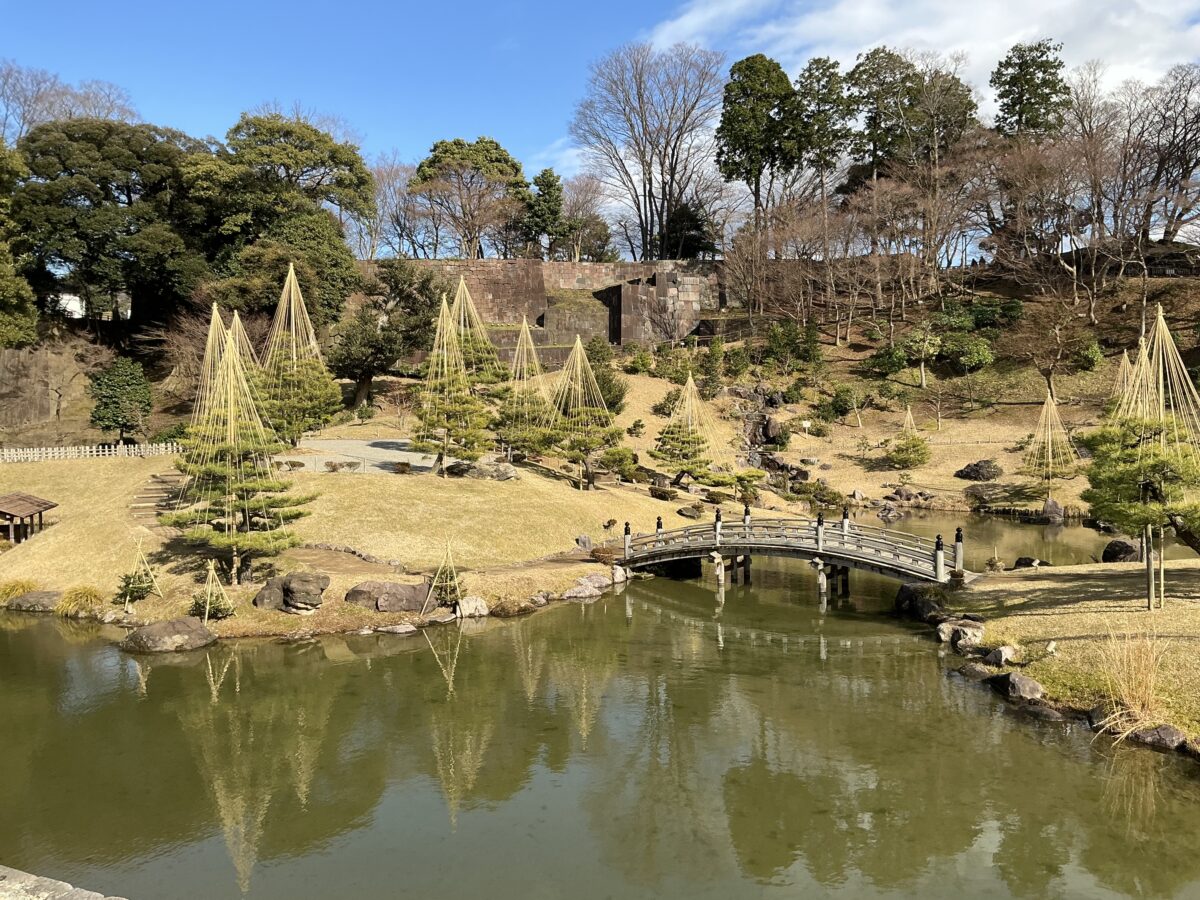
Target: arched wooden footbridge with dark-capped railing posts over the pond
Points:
(838, 544)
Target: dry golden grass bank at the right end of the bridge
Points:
(1078, 608)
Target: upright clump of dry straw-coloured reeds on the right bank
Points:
(1131, 667)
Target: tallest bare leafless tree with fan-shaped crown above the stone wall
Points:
(645, 125)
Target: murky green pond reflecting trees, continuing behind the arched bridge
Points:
(669, 742)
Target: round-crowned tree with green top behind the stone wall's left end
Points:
(477, 185)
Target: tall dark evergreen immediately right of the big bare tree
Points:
(749, 139)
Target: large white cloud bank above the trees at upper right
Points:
(1133, 39)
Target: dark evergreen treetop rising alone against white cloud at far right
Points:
(1031, 93)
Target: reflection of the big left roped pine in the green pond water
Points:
(253, 745)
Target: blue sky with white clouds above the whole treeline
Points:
(405, 75)
